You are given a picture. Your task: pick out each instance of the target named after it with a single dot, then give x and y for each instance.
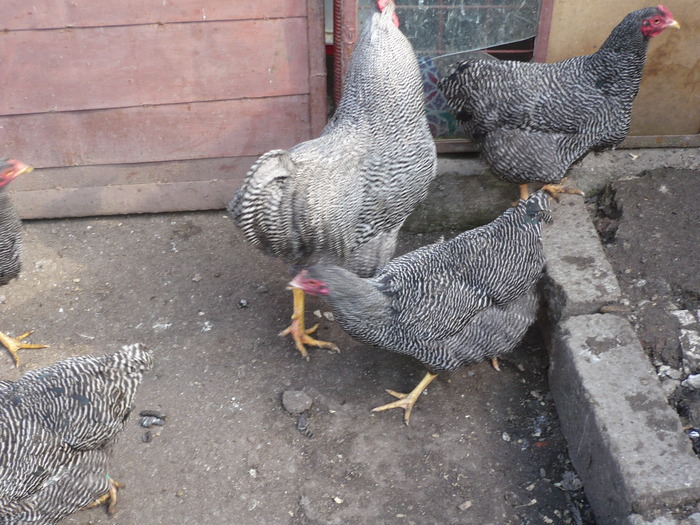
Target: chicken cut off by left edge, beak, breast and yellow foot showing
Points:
(10, 245)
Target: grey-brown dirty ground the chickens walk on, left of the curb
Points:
(483, 447)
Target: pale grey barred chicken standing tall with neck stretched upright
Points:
(344, 196)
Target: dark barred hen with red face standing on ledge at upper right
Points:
(535, 120)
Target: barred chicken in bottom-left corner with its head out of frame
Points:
(56, 427)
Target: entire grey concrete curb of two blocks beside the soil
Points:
(624, 440)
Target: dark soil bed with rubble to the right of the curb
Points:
(650, 226)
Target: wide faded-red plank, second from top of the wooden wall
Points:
(98, 68)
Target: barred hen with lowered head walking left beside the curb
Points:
(448, 304)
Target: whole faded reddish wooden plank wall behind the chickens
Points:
(153, 106)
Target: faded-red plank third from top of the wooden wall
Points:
(227, 128)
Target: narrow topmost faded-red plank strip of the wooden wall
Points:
(22, 14)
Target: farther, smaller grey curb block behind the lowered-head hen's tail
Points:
(579, 279)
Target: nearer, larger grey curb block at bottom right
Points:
(624, 440)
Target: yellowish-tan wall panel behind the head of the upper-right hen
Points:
(669, 98)
